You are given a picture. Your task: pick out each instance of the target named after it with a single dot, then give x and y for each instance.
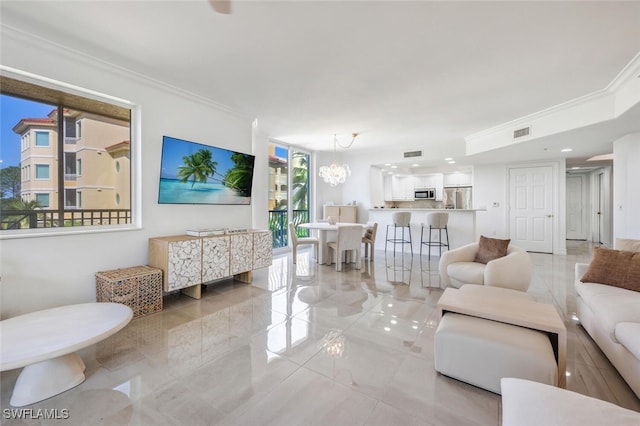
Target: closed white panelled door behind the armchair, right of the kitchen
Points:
(531, 209)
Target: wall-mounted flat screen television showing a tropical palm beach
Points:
(193, 173)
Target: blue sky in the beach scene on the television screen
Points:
(174, 149)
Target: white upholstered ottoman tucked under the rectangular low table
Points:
(481, 352)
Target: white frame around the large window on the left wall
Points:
(135, 150)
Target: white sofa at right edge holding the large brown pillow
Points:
(611, 316)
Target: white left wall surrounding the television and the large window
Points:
(56, 270)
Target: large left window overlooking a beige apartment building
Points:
(78, 128)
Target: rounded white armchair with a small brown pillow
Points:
(511, 271)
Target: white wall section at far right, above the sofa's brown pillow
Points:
(626, 177)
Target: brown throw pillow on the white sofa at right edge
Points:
(614, 267)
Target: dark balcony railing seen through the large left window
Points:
(41, 218)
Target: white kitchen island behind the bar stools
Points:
(462, 225)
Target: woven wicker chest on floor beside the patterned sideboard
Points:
(139, 287)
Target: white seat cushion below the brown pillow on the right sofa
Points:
(611, 305)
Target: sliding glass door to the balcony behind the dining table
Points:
(289, 189)
